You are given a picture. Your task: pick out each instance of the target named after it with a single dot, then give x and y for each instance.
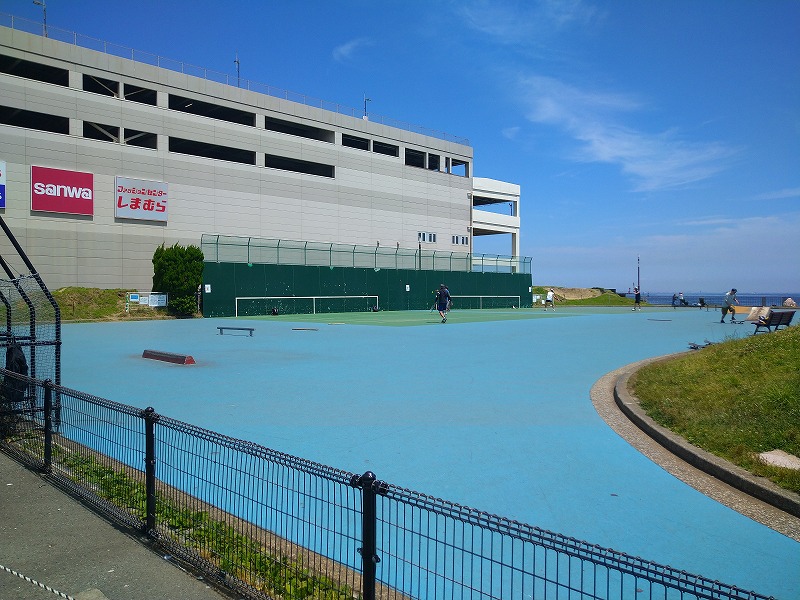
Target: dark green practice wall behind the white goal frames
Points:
(228, 281)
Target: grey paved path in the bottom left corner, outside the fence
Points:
(57, 542)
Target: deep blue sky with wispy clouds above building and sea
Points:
(663, 130)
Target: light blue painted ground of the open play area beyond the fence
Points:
(494, 414)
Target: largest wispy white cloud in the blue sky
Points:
(655, 161)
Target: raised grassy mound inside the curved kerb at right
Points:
(735, 400)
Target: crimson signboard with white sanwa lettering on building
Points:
(56, 190)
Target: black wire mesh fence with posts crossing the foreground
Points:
(270, 525)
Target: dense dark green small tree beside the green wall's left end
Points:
(178, 271)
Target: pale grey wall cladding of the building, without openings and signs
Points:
(372, 197)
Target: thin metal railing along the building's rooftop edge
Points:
(84, 41)
